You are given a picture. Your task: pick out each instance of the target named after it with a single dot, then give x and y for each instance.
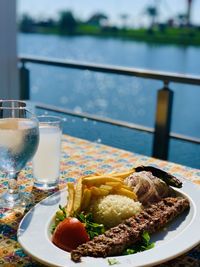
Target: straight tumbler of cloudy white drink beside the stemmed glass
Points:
(46, 162)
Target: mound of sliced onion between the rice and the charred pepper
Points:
(147, 187)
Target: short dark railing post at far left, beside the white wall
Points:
(24, 83)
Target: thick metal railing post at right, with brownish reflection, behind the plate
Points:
(163, 122)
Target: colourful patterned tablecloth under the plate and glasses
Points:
(80, 158)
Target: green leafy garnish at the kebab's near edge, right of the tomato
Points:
(142, 245)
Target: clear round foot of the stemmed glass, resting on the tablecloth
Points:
(12, 201)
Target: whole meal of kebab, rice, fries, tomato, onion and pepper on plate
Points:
(107, 213)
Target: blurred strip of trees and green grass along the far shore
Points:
(97, 26)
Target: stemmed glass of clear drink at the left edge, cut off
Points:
(19, 138)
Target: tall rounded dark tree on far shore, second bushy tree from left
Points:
(67, 23)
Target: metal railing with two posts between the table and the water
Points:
(161, 130)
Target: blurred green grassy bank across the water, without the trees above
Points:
(179, 36)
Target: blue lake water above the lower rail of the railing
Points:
(119, 97)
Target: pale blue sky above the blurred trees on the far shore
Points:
(113, 8)
